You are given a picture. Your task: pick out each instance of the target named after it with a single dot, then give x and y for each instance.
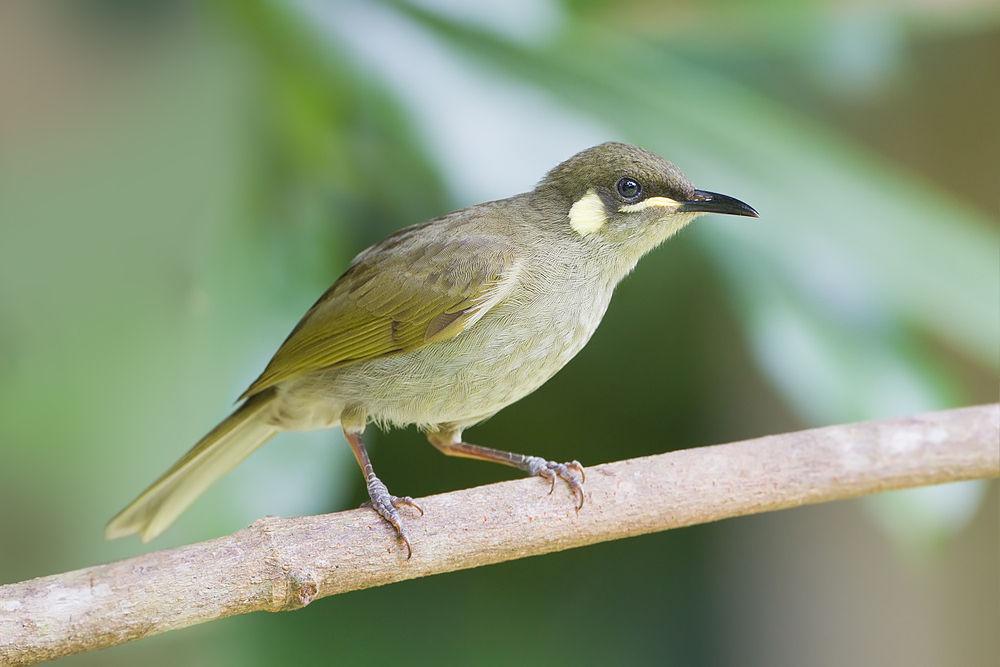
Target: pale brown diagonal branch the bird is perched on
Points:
(280, 564)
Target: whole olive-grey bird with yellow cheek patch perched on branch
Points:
(444, 323)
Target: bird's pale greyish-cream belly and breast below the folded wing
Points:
(496, 362)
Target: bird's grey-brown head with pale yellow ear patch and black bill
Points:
(626, 197)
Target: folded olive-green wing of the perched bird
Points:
(398, 295)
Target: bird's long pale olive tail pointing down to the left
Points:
(216, 454)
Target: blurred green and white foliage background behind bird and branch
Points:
(180, 180)
